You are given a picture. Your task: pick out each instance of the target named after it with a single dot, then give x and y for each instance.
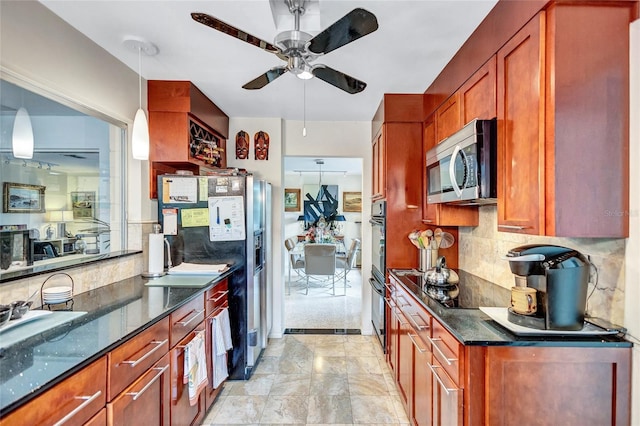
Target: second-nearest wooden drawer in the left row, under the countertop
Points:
(131, 359)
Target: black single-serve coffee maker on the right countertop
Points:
(560, 276)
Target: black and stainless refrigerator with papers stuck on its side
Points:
(223, 218)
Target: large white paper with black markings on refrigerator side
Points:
(226, 218)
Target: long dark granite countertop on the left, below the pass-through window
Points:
(114, 314)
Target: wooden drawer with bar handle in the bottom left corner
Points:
(74, 401)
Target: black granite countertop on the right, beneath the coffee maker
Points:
(473, 327)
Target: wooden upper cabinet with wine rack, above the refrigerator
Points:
(186, 130)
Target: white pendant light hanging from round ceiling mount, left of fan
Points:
(140, 132)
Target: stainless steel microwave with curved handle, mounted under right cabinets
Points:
(462, 168)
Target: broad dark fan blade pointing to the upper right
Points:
(355, 24)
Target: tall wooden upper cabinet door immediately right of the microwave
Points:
(521, 139)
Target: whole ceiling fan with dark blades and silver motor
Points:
(300, 49)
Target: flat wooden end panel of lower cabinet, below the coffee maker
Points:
(571, 386)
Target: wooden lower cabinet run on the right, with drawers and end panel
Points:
(443, 382)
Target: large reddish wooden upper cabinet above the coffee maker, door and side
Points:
(563, 120)
